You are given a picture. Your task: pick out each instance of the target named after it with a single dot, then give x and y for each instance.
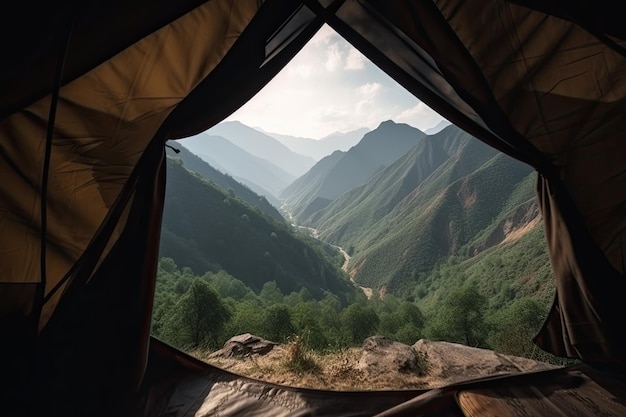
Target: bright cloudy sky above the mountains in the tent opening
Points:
(331, 87)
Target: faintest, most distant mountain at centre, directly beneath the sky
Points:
(318, 149)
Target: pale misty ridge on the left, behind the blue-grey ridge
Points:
(263, 146)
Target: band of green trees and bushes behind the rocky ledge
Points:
(204, 311)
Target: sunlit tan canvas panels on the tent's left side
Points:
(105, 120)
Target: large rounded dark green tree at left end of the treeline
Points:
(197, 319)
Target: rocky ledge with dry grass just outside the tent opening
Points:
(380, 363)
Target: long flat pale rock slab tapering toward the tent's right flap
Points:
(452, 362)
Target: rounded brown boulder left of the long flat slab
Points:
(383, 355)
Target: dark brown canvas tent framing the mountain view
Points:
(91, 91)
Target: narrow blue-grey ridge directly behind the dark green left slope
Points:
(194, 163)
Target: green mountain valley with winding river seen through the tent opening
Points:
(400, 234)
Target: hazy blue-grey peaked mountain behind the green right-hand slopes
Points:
(342, 171)
